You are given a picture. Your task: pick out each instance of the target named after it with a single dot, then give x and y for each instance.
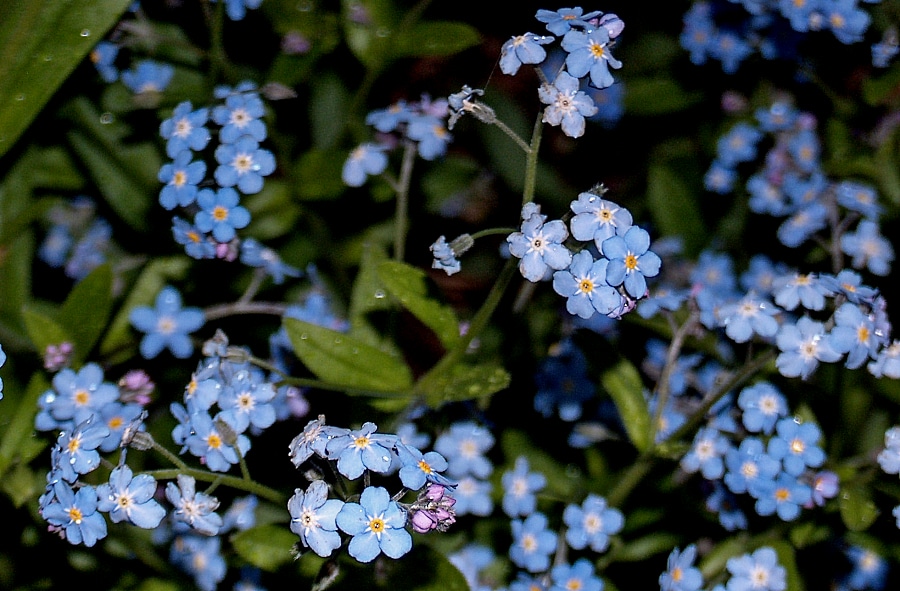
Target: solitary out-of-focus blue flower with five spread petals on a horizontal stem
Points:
(167, 325)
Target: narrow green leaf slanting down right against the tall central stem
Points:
(407, 284)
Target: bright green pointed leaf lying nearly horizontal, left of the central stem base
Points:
(342, 360)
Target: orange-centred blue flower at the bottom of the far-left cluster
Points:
(75, 513)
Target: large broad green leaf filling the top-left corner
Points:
(41, 43)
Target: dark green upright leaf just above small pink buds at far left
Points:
(86, 310)
